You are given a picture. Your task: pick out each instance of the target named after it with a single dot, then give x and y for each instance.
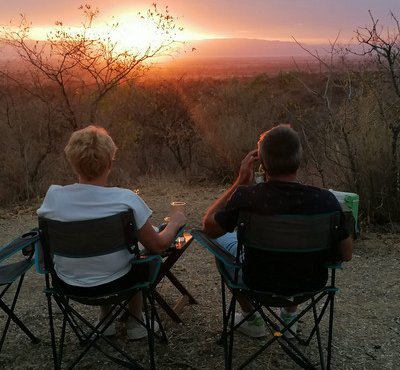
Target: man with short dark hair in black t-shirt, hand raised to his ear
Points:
(280, 153)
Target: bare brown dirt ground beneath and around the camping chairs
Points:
(367, 314)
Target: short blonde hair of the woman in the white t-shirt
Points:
(90, 151)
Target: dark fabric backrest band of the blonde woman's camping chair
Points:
(88, 238)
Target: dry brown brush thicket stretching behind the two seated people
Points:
(348, 148)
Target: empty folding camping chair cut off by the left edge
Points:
(13, 267)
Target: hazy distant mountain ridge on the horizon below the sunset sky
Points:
(224, 58)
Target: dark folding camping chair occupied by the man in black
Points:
(267, 243)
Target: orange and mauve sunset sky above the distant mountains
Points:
(307, 20)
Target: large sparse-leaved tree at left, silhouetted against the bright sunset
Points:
(65, 79)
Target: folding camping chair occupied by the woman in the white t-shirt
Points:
(94, 238)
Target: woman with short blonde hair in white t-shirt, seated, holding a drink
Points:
(91, 151)
